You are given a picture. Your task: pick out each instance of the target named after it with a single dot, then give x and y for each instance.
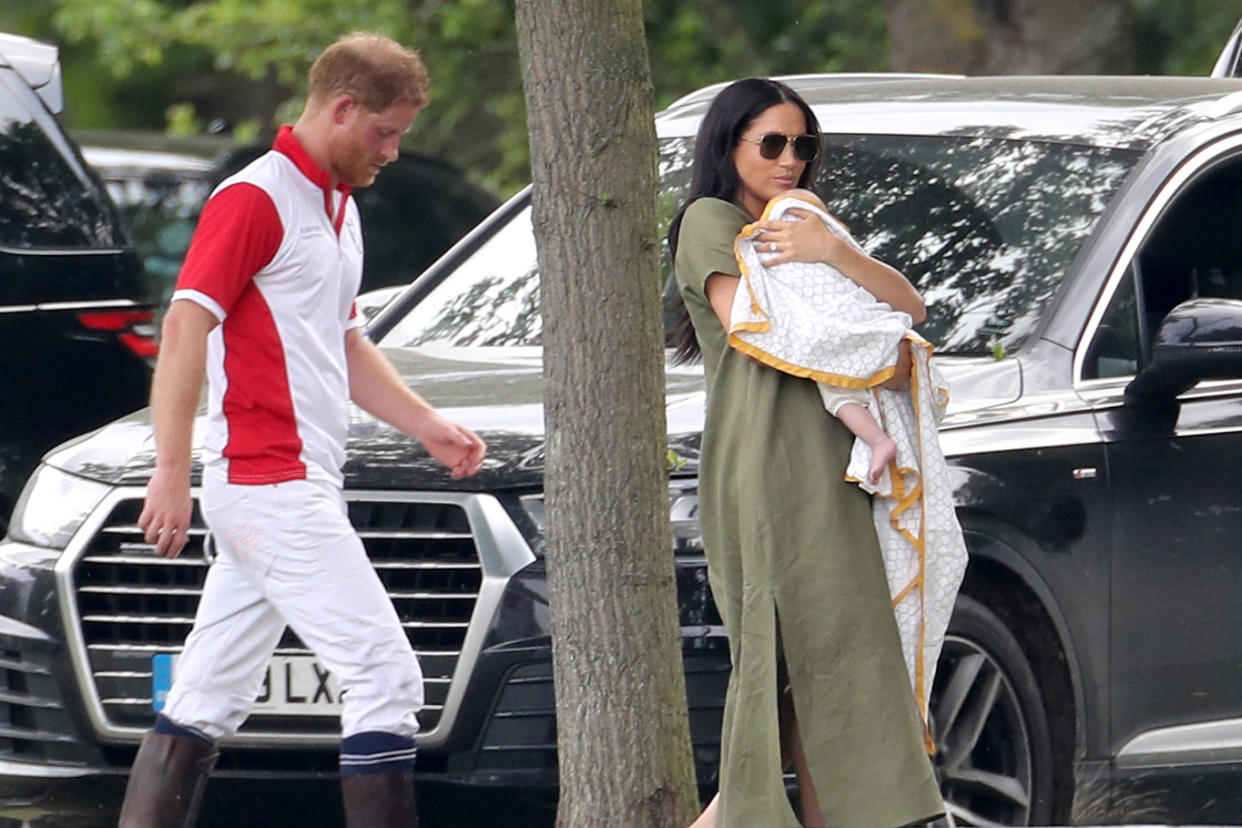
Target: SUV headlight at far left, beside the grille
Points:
(53, 506)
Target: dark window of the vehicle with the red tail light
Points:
(44, 202)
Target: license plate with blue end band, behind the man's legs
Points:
(294, 686)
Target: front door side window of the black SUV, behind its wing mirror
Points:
(1193, 251)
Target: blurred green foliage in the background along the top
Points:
(130, 63)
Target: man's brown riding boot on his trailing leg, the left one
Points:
(167, 781)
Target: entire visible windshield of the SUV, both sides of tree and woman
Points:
(984, 228)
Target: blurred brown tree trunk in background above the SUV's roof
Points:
(1012, 37)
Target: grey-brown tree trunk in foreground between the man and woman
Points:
(623, 726)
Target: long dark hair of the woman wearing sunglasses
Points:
(715, 176)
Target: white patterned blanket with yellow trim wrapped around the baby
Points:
(812, 321)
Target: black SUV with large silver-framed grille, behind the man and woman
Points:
(1077, 243)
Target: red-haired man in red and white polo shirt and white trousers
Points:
(265, 308)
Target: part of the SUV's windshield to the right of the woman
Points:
(984, 228)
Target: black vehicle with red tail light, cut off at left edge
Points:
(76, 332)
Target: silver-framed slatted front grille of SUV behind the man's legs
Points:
(129, 605)
